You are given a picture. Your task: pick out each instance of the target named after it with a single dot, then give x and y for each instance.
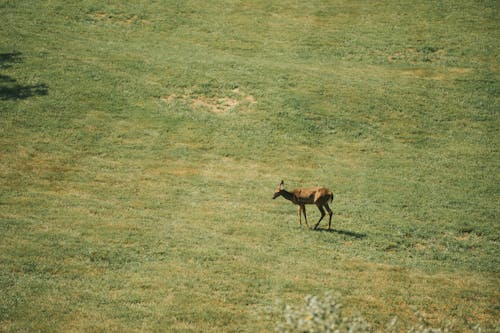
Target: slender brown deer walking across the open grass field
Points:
(308, 196)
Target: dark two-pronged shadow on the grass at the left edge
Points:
(10, 89)
